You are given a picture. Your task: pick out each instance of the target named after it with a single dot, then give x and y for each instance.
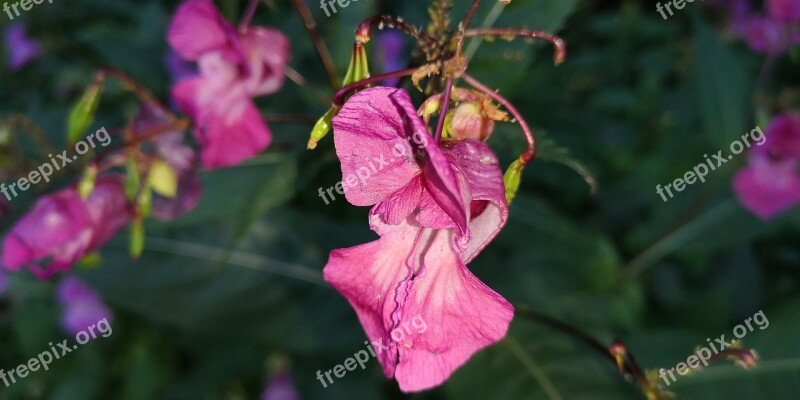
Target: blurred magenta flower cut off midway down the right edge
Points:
(770, 184)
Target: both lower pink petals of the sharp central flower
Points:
(414, 274)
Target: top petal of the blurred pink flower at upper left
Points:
(198, 28)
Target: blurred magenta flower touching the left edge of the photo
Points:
(61, 228)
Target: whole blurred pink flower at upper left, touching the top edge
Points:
(234, 67)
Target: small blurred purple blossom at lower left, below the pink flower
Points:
(83, 306)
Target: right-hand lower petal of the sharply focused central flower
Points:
(462, 315)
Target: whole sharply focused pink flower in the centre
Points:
(434, 209)
